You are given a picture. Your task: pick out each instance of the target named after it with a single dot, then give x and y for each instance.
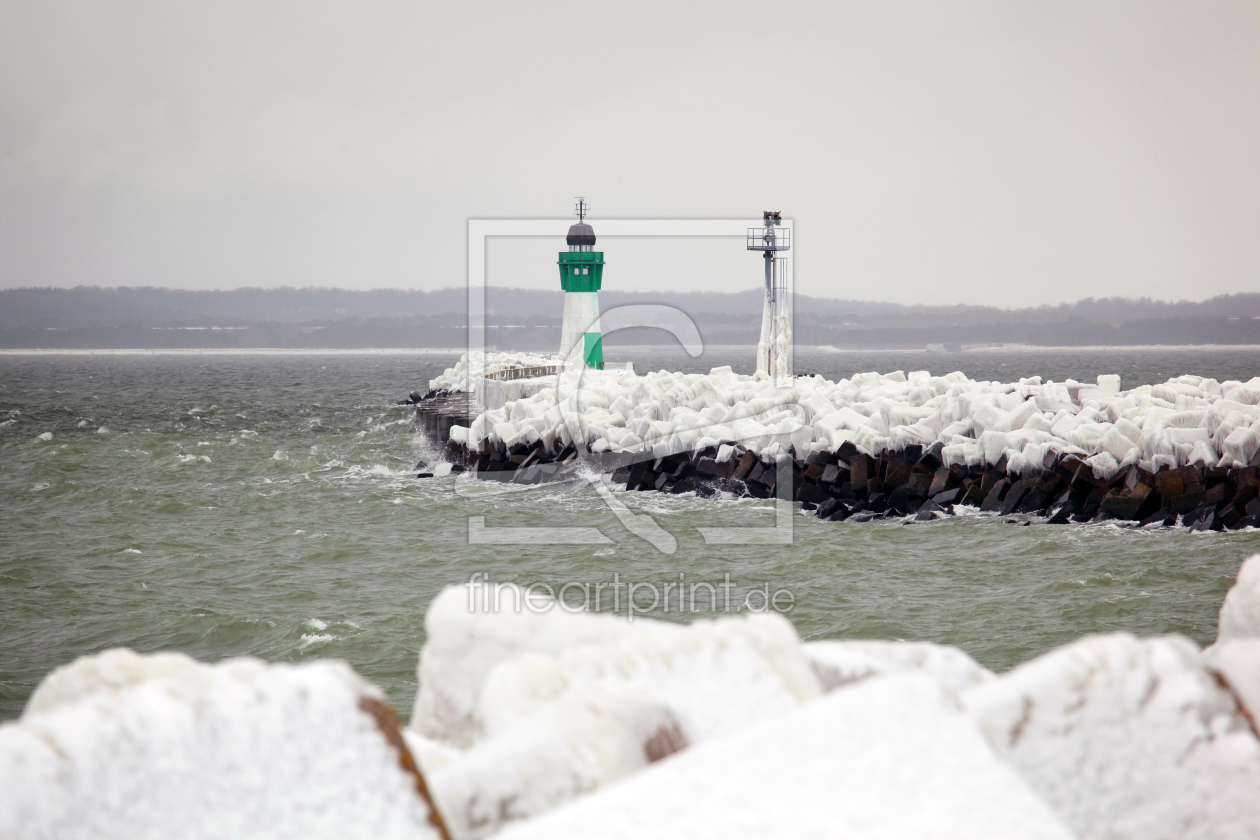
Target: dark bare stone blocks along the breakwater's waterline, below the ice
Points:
(914, 482)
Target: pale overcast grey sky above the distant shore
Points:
(1001, 153)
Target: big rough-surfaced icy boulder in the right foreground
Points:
(1128, 739)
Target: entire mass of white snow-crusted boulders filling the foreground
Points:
(542, 722)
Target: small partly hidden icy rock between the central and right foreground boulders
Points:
(842, 663)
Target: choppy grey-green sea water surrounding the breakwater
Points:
(264, 506)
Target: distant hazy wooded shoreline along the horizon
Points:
(95, 318)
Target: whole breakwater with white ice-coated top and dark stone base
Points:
(1186, 451)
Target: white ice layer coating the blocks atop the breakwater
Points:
(1188, 420)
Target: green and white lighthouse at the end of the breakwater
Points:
(581, 271)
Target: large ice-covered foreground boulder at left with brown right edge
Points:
(125, 746)
